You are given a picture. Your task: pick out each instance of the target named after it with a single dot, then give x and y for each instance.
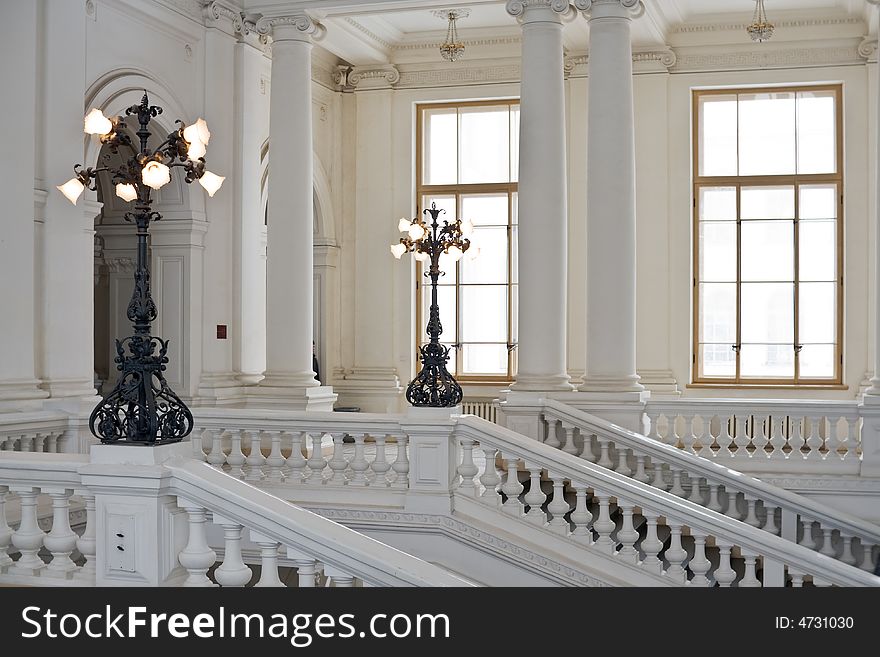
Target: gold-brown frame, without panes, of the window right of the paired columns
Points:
(794, 180)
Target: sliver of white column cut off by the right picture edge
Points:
(870, 411)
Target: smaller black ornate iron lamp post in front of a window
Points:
(433, 385)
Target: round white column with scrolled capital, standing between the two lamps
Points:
(289, 378)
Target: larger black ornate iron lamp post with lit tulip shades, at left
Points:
(142, 409)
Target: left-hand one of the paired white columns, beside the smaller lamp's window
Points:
(543, 216)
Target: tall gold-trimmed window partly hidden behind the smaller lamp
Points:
(467, 161)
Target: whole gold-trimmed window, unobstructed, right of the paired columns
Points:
(768, 236)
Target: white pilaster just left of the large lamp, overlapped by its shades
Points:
(67, 257)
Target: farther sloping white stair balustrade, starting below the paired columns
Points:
(684, 473)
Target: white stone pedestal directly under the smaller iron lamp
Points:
(432, 458)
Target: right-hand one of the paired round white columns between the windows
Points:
(610, 381)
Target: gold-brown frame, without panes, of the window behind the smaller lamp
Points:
(458, 190)
